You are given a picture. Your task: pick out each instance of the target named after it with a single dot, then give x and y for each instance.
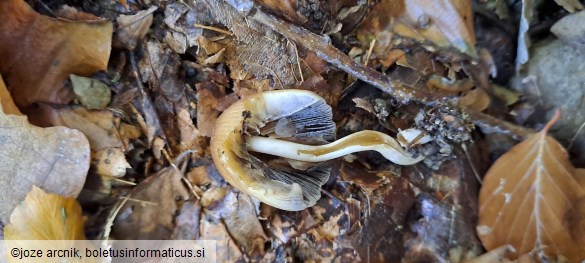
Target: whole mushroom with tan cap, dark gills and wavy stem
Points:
(294, 118)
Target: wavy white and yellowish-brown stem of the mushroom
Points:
(357, 142)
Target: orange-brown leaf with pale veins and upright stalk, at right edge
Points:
(525, 196)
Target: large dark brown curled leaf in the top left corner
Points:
(38, 52)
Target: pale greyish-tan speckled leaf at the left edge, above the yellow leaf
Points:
(55, 159)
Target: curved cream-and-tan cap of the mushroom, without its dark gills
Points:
(238, 167)
